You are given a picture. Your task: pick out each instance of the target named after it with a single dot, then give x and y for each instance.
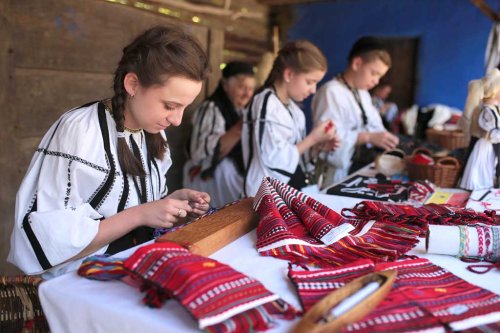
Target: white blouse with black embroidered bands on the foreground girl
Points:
(73, 182)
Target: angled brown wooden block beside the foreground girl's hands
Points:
(212, 232)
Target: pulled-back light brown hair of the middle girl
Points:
(301, 56)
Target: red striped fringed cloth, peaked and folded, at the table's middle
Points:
(291, 225)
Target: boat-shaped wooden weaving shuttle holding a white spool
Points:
(322, 318)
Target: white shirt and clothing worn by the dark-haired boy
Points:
(353, 112)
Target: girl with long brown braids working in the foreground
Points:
(97, 183)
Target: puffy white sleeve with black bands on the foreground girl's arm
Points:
(54, 220)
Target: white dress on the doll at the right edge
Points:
(482, 169)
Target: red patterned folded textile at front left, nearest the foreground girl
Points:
(220, 298)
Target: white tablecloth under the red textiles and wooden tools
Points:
(75, 304)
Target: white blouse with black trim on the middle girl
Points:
(270, 133)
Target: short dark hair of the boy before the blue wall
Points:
(370, 48)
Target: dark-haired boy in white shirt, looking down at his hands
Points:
(346, 100)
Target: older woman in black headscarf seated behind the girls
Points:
(216, 162)
